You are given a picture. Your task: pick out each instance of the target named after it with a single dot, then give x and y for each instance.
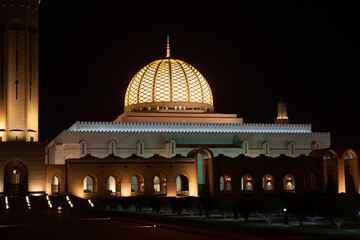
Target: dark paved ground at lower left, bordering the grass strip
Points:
(71, 224)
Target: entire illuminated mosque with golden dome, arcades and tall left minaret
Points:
(168, 142)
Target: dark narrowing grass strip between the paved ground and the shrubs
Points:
(252, 227)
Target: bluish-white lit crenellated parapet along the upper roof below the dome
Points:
(189, 127)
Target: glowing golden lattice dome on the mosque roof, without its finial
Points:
(168, 84)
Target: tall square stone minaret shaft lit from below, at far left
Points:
(19, 98)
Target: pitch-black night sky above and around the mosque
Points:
(252, 54)
